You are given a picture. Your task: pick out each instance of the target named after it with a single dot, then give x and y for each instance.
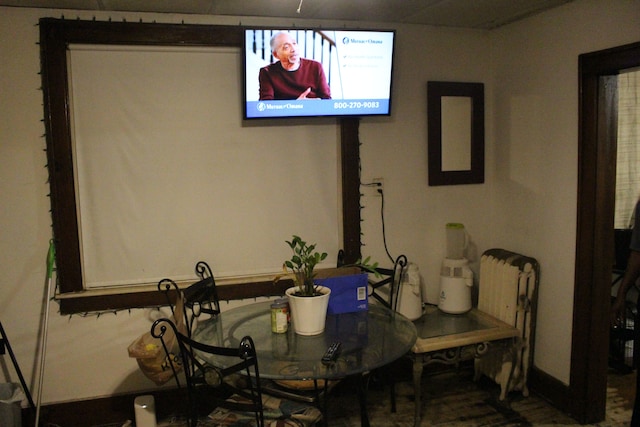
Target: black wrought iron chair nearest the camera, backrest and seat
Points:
(230, 396)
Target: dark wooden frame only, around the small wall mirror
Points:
(435, 92)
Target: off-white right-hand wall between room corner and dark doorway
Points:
(536, 151)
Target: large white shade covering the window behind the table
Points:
(167, 174)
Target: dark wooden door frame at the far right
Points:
(596, 199)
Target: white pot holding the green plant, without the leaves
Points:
(308, 314)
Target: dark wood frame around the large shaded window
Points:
(55, 37)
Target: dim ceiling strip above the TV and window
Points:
(478, 14)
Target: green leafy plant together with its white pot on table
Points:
(308, 301)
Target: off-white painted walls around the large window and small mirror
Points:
(530, 77)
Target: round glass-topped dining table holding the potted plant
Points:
(370, 339)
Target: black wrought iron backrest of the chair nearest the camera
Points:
(210, 387)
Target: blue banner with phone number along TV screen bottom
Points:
(317, 107)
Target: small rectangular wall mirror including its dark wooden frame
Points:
(456, 133)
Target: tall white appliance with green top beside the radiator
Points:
(456, 278)
